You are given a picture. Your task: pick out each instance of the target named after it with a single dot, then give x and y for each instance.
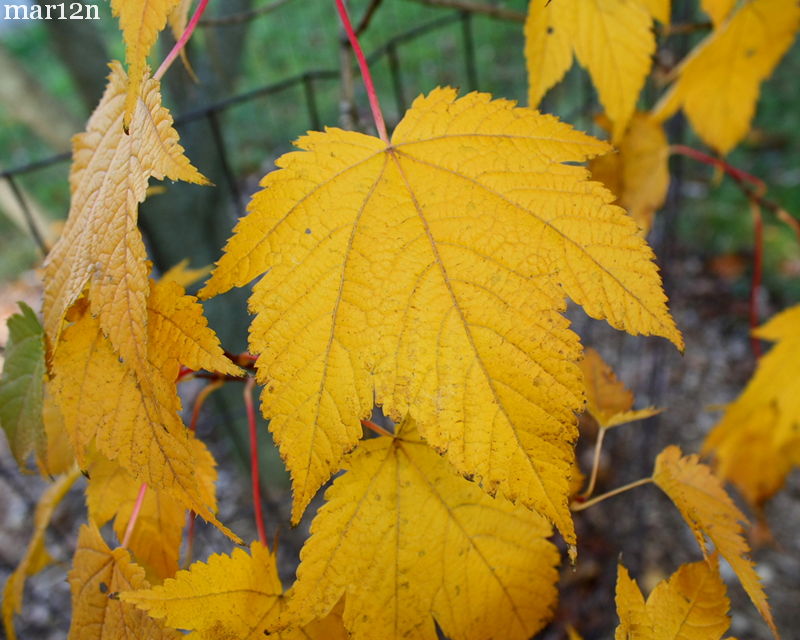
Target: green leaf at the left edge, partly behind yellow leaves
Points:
(22, 385)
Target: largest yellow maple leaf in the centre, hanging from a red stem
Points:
(429, 275)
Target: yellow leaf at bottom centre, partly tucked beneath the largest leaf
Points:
(479, 566)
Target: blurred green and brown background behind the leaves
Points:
(269, 70)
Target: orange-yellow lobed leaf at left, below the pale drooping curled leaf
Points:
(132, 418)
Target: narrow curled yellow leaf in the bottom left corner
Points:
(36, 556)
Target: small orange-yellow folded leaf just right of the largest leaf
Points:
(607, 399)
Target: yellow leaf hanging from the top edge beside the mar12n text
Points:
(140, 21)
